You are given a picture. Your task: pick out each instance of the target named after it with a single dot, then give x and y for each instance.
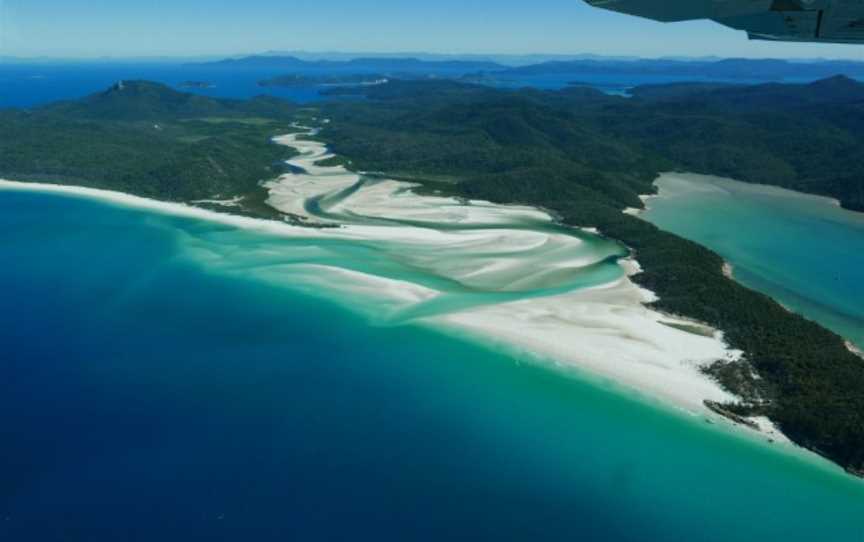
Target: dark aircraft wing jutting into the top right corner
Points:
(830, 21)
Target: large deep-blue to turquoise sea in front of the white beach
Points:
(147, 395)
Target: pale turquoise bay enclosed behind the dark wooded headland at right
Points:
(802, 250)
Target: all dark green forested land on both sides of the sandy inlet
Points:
(578, 152)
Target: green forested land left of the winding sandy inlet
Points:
(147, 139)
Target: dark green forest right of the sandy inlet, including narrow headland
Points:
(587, 156)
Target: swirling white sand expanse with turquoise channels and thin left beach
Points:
(504, 274)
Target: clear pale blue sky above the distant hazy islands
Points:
(76, 28)
